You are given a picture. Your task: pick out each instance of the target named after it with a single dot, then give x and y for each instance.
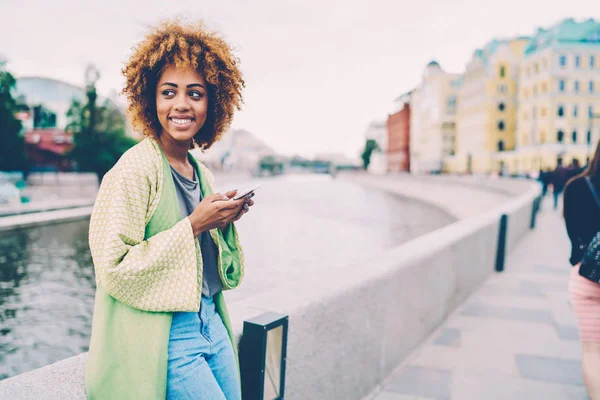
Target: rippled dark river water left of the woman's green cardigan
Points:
(46, 297)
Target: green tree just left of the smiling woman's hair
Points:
(99, 134)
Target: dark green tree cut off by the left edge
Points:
(12, 142)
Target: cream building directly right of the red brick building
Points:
(432, 120)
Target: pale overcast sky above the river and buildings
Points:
(316, 71)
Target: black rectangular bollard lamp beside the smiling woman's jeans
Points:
(263, 357)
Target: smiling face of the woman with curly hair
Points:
(181, 103)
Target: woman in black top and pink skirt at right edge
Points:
(582, 217)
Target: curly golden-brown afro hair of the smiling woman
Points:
(188, 45)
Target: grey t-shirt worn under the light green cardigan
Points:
(189, 195)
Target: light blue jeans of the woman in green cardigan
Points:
(202, 364)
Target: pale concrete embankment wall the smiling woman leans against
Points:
(349, 330)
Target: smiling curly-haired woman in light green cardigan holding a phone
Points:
(164, 246)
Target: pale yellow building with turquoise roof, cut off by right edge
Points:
(559, 97)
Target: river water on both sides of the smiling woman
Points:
(300, 223)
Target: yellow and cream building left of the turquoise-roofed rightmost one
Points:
(487, 107)
